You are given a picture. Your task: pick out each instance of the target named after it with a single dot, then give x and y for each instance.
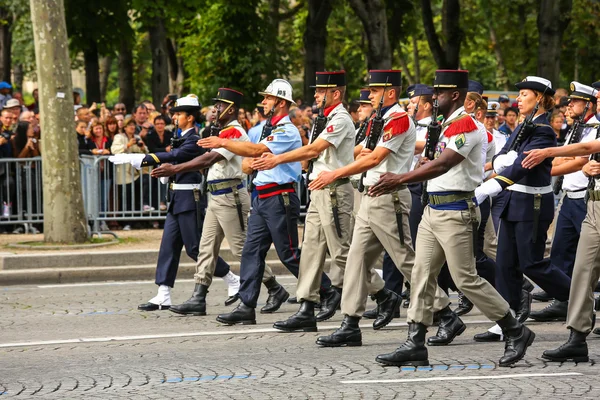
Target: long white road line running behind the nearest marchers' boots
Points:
(188, 334)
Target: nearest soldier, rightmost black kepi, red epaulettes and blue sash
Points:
(448, 227)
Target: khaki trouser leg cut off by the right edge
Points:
(586, 272)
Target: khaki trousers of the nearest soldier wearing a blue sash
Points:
(447, 236)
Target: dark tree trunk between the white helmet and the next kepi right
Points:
(315, 38)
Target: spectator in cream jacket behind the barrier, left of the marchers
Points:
(127, 177)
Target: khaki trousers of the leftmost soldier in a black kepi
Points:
(222, 222)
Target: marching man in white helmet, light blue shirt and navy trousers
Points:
(274, 216)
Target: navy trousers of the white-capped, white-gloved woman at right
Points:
(518, 255)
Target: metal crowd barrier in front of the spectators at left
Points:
(110, 193)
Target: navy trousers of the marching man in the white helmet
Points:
(267, 225)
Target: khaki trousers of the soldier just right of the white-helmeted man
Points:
(320, 235)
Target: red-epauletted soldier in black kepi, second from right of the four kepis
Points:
(374, 230)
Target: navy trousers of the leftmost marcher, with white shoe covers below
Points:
(180, 230)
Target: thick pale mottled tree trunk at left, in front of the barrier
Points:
(64, 217)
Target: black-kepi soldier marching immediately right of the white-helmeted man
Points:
(327, 225)
